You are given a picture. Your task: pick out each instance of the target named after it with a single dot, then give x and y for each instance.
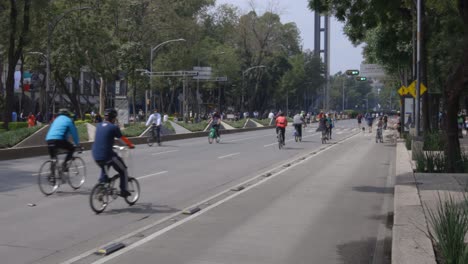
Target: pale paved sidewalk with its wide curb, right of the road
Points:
(416, 194)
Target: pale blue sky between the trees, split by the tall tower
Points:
(343, 56)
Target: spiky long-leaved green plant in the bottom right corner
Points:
(449, 223)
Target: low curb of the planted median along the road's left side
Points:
(27, 152)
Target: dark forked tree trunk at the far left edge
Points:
(14, 54)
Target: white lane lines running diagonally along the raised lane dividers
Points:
(207, 209)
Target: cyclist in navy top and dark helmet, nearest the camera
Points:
(103, 152)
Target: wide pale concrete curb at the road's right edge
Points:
(410, 243)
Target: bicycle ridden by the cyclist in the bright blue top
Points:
(52, 174)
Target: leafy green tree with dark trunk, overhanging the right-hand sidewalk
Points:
(446, 41)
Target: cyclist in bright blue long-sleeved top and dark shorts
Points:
(58, 134)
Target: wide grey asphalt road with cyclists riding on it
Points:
(330, 205)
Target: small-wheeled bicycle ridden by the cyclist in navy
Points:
(104, 193)
